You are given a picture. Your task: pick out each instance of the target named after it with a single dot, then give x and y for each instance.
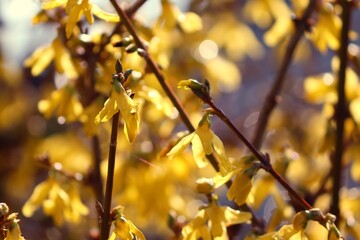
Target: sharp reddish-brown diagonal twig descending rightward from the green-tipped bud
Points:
(264, 159)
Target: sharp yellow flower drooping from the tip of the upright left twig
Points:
(120, 101)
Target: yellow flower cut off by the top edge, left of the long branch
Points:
(76, 8)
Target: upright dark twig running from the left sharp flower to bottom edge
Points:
(106, 221)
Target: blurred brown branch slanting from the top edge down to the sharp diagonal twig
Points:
(273, 96)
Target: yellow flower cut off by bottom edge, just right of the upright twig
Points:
(124, 228)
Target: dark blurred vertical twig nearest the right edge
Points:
(340, 113)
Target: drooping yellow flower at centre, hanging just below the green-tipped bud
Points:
(204, 142)
